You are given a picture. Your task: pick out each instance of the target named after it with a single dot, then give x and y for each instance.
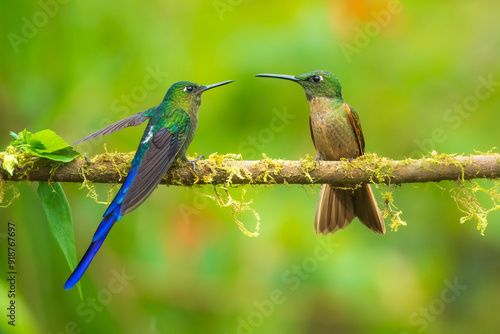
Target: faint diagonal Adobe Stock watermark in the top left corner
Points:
(30, 26)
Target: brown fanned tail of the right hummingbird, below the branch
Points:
(336, 208)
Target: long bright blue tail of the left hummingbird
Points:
(110, 217)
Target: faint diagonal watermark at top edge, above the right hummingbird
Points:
(363, 37)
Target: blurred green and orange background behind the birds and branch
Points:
(416, 73)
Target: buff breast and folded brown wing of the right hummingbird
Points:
(333, 135)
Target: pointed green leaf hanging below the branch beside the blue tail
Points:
(58, 214)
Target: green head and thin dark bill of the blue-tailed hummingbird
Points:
(187, 95)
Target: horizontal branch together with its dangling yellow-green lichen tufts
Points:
(230, 169)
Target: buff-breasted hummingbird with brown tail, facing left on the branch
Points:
(336, 133)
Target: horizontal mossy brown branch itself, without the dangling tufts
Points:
(231, 169)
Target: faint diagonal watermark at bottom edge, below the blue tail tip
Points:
(90, 306)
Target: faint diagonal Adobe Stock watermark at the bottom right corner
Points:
(425, 315)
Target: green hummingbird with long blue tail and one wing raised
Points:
(169, 132)
